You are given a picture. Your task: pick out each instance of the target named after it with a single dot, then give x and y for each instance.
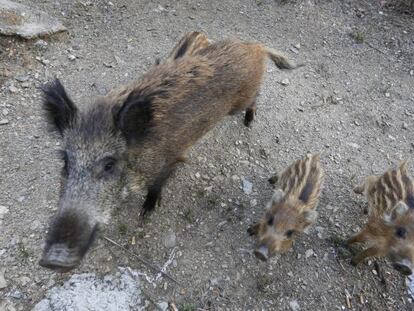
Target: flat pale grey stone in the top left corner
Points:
(20, 20)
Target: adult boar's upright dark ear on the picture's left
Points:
(60, 110)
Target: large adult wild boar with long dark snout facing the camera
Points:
(136, 135)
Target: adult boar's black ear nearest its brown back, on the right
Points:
(134, 117)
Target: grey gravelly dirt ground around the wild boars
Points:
(353, 101)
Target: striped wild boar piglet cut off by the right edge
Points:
(391, 210)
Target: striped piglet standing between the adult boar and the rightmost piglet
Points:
(292, 208)
